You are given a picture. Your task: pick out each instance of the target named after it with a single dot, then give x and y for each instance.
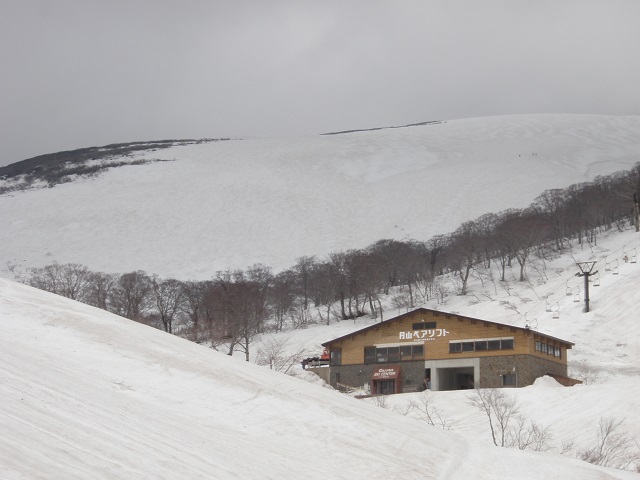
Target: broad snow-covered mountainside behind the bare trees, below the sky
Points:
(270, 200)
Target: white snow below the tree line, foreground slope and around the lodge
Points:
(87, 394)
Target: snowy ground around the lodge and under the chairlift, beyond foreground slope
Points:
(606, 351)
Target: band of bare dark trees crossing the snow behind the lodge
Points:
(235, 305)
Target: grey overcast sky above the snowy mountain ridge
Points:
(78, 73)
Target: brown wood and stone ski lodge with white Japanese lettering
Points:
(452, 351)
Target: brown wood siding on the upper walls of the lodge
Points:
(436, 344)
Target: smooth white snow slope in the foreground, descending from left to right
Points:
(86, 394)
